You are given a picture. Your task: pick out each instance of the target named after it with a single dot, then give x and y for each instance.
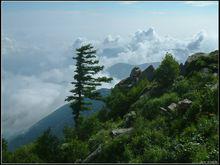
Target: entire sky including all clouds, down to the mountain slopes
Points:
(39, 38)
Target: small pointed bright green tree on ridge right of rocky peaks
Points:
(168, 71)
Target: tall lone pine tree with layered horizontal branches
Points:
(85, 84)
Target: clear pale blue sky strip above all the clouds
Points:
(166, 17)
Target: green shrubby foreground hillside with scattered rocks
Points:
(167, 114)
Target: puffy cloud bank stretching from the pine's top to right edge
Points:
(146, 46)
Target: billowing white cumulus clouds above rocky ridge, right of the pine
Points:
(148, 46)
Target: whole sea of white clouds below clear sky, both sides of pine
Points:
(36, 77)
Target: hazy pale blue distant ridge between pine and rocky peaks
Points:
(122, 70)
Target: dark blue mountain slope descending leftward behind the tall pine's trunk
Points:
(56, 121)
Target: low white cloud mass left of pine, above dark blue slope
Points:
(26, 99)
